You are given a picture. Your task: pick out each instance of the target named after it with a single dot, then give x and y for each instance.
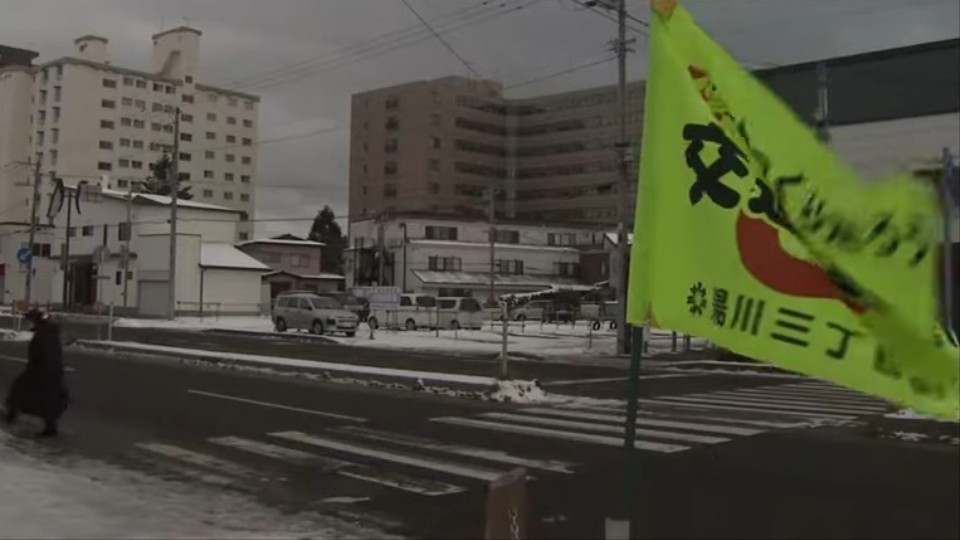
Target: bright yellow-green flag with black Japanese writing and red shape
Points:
(750, 232)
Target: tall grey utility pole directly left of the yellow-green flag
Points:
(623, 204)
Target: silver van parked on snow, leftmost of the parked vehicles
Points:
(312, 312)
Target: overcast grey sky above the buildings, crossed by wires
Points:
(246, 42)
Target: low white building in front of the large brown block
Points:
(445, 257)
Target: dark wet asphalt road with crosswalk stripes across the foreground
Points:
(720, 456)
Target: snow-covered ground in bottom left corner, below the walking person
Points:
(85, 499)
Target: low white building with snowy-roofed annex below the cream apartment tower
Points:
(119, 247)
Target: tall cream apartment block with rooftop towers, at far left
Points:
(82, 117)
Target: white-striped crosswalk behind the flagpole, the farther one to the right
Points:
(670, 424)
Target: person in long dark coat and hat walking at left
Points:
(40, 390)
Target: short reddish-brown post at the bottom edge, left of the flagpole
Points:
(507, 507)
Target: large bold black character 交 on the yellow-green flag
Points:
(731, 159)
